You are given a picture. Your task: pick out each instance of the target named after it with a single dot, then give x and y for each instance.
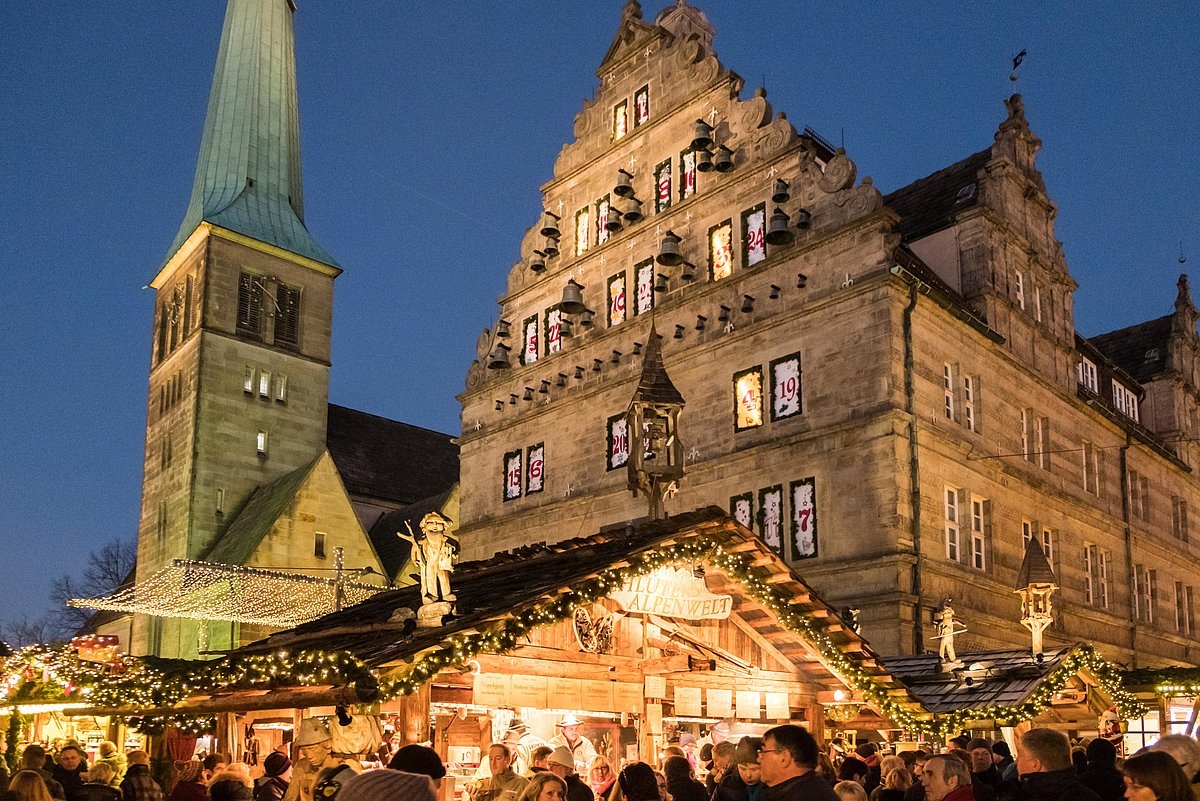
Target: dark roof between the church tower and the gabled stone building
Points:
(388, 460)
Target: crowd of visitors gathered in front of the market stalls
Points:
(787, 764)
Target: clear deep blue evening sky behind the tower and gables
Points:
(428, 130)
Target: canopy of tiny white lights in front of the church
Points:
(249, 595)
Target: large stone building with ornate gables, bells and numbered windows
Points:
(893, 394)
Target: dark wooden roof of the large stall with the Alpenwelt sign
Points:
(381, 633)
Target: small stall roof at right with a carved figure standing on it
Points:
(998, 678)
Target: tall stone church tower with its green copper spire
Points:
(239, 376)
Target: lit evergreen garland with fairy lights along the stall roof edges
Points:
(141, 684)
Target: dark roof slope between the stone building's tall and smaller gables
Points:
(932, 203)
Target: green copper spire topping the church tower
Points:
(248, 178)
